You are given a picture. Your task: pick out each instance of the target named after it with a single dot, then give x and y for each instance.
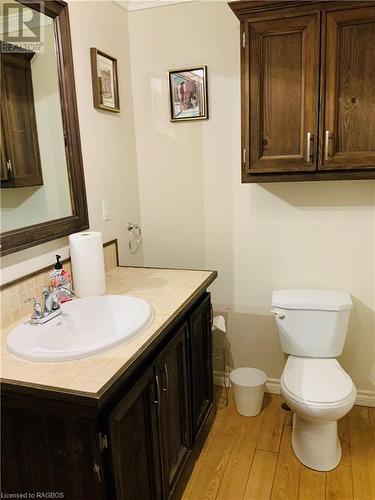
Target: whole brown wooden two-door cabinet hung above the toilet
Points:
(307, 90)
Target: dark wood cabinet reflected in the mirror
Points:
(20, 157)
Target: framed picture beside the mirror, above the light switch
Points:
(104, 81)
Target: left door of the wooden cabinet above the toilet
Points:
(280, 89)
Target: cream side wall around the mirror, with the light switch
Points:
(107, 138)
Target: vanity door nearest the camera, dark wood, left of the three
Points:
(134, 445)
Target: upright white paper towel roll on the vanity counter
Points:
(87, 258)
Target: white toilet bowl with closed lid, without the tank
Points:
(319, 392)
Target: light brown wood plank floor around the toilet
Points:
(252, 458)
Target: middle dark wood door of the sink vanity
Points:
(174, 408)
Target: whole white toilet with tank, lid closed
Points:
(312, 326)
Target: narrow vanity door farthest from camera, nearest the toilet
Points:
(200, 337)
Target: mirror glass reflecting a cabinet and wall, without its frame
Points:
(34, 171)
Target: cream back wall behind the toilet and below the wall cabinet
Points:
(195, 211)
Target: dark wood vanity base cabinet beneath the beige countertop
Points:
(137, 439)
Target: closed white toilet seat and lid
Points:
(316, 381)
